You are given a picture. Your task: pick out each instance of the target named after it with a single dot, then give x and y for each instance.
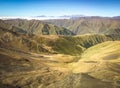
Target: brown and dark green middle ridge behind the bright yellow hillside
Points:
(71, 45)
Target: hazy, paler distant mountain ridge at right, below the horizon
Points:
(92, 25)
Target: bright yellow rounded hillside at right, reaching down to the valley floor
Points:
(93, 57)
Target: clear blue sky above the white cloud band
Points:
(24, 8)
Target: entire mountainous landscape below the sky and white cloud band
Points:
(61, 53)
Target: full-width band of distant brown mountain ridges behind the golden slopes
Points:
(78, 24)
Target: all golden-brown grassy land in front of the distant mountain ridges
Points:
(49, 70)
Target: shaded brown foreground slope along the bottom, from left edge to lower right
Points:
(27, 70)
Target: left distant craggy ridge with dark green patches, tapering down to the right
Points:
(34, 27)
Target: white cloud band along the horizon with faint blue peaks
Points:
(44, 17)
